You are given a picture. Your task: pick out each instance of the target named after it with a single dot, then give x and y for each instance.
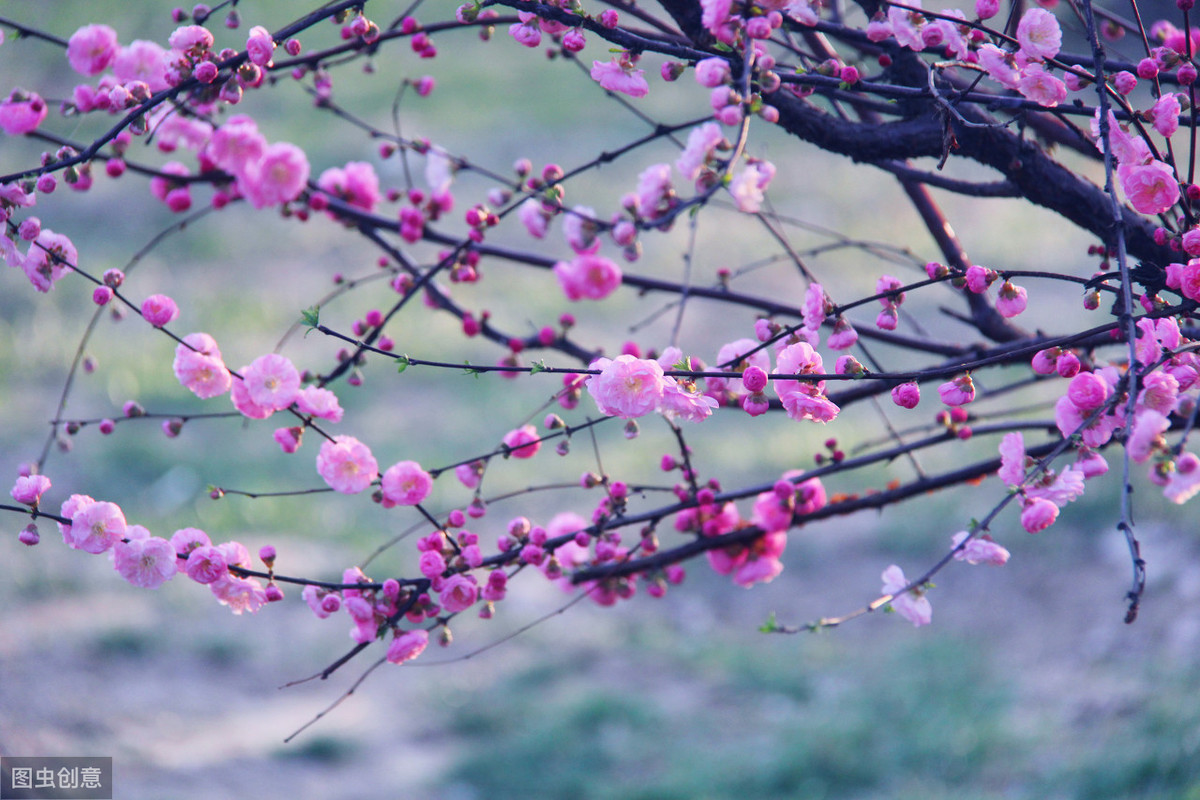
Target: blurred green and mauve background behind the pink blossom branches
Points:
(1027, 687)
